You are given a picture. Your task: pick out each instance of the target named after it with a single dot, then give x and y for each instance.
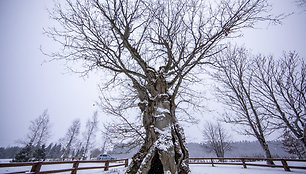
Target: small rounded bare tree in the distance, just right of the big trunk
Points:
(217, 139)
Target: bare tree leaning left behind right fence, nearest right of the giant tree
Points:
(234, 72)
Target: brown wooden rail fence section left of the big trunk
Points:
(75, 166)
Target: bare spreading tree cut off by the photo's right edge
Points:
(281, 87)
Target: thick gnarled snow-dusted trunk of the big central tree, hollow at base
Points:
(164, 150)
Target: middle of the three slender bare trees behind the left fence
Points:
(70, 139)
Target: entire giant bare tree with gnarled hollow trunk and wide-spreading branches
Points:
(155, 47)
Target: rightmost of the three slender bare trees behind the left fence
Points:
(89, 134)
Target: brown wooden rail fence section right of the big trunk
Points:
(250, 162)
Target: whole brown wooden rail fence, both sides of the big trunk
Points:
(75, 165)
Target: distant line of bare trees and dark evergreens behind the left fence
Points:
(71, 146)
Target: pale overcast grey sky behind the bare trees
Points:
(28, 85)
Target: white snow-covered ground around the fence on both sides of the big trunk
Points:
(195, 169)
